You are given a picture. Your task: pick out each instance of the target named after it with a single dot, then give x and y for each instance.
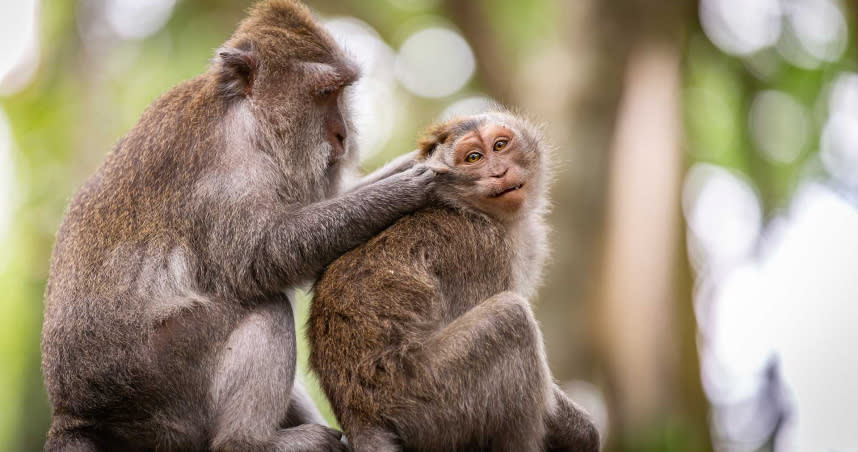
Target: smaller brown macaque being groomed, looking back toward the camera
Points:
(423, 337)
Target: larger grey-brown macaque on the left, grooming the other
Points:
(168, 319)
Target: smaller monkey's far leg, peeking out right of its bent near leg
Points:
(569, 428)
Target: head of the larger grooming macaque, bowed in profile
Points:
(287, 82)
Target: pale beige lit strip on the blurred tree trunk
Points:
(636, 322)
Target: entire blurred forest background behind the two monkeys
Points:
(703, 291)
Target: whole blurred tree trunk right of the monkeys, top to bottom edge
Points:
(644, 306)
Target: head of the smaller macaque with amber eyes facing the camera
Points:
(493, 162)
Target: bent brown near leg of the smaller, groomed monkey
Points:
(480, 380)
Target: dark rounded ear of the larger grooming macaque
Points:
(236, 69)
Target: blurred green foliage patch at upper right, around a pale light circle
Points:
(717, 96)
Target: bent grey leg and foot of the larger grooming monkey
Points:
(252, 389)
